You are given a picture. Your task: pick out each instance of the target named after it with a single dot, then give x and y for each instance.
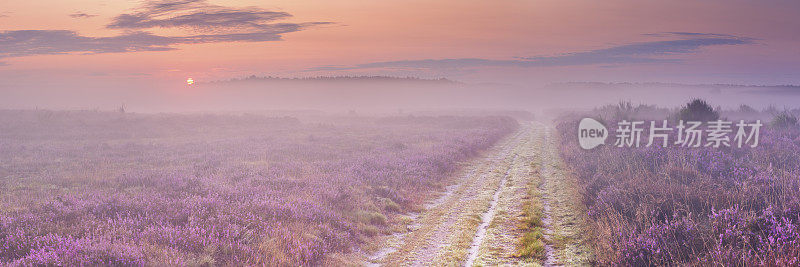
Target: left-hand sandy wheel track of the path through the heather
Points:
(443, 233)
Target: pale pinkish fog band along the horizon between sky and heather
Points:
(380, 95)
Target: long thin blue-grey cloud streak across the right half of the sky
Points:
(634, 53)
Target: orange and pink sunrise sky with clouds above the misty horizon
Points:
(159, 44)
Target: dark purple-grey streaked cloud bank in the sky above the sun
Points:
(215, 24)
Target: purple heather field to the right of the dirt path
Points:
(725, 206)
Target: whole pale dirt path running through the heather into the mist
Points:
(477, 220)
